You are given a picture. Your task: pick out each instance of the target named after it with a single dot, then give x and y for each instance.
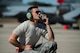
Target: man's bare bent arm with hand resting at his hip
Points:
(13, 40)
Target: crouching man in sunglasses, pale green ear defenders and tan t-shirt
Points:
(27, 34)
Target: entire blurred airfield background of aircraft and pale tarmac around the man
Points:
(64, 17)
